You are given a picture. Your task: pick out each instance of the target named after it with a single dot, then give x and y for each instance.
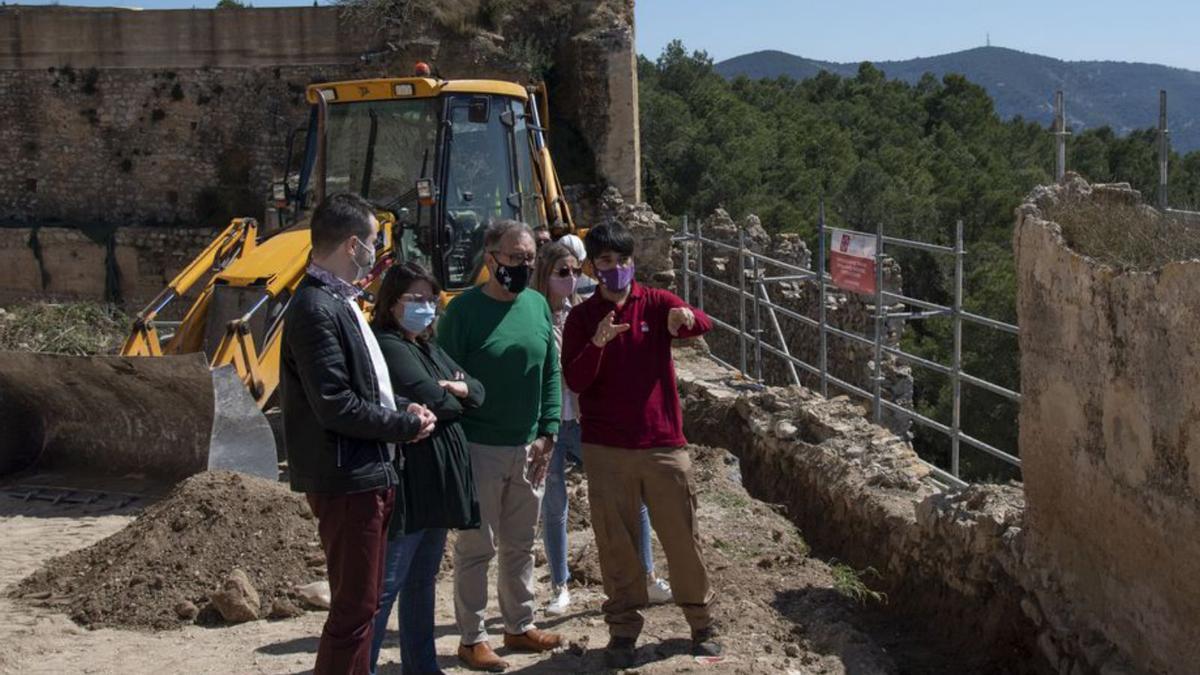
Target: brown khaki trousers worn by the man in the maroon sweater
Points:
(619, 482)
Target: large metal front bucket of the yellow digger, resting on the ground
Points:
(165, 419)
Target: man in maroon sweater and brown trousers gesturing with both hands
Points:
(617, 357)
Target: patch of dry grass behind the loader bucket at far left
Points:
(63, 328)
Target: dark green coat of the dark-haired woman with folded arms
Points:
(437, 488)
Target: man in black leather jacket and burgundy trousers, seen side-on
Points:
(340, 426)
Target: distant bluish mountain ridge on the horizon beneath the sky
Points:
(1123, 95)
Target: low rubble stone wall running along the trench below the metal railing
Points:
(859, 494)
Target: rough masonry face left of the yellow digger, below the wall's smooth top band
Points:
(184, 147)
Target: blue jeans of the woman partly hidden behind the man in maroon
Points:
(554, 506)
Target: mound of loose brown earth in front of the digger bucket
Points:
(183, 551)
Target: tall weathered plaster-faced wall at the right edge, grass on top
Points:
(1111, 437)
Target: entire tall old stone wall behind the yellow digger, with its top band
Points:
(182, 117)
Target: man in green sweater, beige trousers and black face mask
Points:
(503, 336)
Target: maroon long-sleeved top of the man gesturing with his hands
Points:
(627, 389)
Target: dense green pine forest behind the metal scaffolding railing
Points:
(913, 157)
